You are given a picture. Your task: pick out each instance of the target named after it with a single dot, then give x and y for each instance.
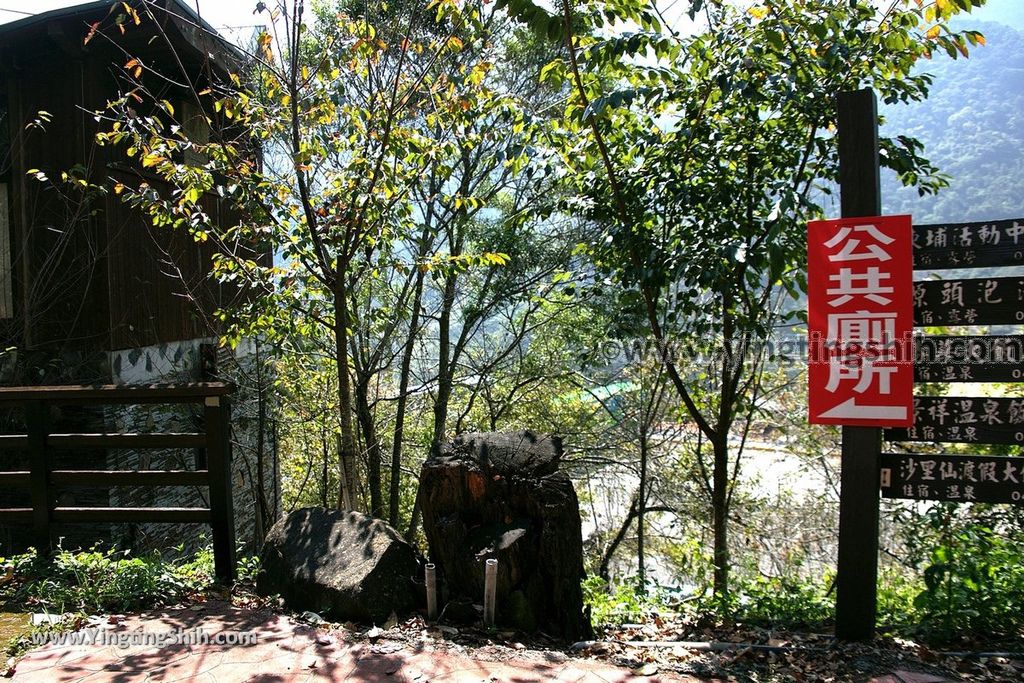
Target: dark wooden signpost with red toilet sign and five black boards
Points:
(942, 359)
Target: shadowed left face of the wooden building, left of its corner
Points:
(62, 245)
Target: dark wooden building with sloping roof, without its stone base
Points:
(80, 273)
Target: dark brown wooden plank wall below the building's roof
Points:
(94, 276)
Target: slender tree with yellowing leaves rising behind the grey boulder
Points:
(321, 142)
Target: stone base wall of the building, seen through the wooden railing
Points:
(177, 362)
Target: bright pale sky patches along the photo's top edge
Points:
(236, 18)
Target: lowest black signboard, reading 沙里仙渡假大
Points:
(960, 479)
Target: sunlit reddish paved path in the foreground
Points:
(285, 651)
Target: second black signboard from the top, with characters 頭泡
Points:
(982, 302)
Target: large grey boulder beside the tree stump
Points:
(344, 566)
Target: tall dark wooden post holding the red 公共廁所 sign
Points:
(857, 579)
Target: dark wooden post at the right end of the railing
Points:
(218, 420)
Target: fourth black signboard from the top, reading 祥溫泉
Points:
(964, 420)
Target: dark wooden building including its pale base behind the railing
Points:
(90, 290)
